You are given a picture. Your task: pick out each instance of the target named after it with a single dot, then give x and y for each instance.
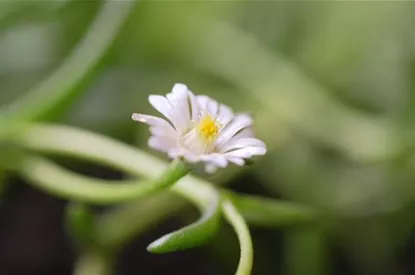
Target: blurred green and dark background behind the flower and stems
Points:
(331, 86)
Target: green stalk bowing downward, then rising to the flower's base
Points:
(69, 185)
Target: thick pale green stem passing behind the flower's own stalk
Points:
(69, 141)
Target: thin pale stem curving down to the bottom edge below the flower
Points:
(238, 223)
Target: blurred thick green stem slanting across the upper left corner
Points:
(63, 83)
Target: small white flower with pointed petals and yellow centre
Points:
(199, 129)
